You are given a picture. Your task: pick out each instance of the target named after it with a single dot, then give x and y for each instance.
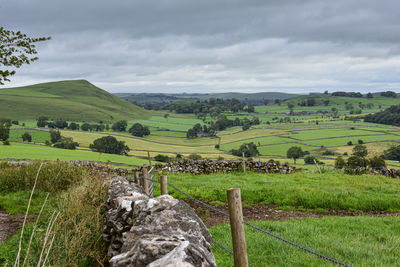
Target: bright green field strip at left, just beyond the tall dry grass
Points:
(29, 151)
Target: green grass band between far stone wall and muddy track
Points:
(329, 191)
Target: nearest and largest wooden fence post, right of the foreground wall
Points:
(237, 227)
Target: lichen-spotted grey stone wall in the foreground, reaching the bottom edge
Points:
(161, 231)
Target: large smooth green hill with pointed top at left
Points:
(76, 100)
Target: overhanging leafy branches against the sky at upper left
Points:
(16, 49)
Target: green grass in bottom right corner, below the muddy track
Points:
(357, 241)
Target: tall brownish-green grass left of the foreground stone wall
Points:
(69, 233)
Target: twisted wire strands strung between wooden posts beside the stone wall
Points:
(255, 227)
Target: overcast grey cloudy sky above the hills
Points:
(206, 46)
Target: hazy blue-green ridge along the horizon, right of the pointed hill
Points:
(256, 98)
